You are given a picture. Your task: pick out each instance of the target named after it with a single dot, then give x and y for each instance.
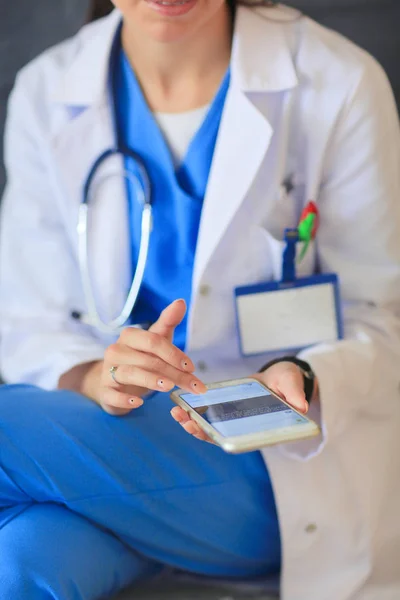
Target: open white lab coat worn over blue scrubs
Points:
(339, 496)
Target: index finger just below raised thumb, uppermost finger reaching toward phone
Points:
(155, 344)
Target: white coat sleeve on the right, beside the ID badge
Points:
(359, 239)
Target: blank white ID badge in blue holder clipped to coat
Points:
(288, 316)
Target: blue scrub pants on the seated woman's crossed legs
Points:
(90, 503)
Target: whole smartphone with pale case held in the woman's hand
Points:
(243, 415)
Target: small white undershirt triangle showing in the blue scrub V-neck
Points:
(179, 129)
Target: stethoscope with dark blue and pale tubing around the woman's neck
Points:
(143, 193)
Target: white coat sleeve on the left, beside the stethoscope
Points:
(38, 269)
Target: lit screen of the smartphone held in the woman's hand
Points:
(243, 409)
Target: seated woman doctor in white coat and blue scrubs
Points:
(211, 96)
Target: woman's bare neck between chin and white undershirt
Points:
(184, 74)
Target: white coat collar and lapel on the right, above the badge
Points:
(245, 133)
